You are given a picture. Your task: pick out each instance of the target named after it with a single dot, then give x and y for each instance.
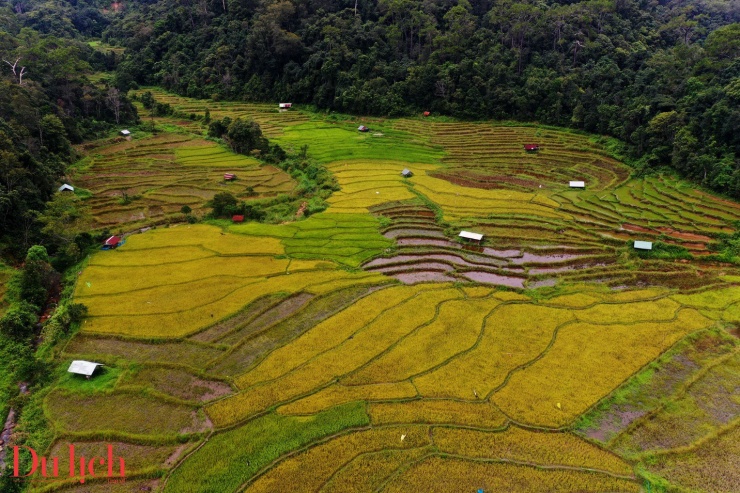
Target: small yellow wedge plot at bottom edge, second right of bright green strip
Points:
(367, 472)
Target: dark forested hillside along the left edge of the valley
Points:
(47, 104)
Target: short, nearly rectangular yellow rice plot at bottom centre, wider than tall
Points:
(439, 411)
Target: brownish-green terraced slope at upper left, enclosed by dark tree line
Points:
(146, 181)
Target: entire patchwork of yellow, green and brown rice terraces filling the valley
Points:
(368, 348)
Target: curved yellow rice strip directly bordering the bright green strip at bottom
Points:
(309, 470)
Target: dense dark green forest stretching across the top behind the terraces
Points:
(661, 76)
